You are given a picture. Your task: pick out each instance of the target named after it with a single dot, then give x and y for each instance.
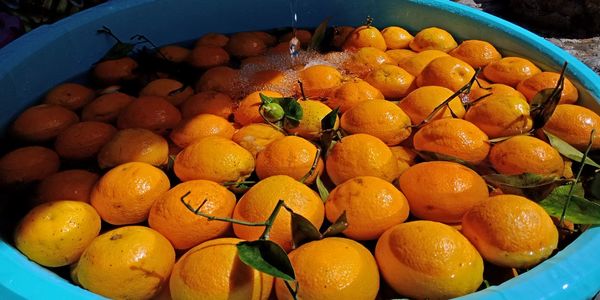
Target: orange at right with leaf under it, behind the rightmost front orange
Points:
(526, 154)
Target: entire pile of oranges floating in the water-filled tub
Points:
(115, 173)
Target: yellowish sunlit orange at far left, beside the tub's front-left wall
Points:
(55, 234)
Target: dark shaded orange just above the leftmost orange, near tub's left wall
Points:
(42, 122)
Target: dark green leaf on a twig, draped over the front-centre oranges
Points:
(268, 257)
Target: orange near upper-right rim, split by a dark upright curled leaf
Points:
(548, 80)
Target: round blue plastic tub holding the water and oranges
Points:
(52, 54)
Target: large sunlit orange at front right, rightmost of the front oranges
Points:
(511, 231)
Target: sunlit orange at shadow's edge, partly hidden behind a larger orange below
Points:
(199, 126)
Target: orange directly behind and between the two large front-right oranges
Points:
(442, 191)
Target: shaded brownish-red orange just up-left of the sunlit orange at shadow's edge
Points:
(149, 112)
